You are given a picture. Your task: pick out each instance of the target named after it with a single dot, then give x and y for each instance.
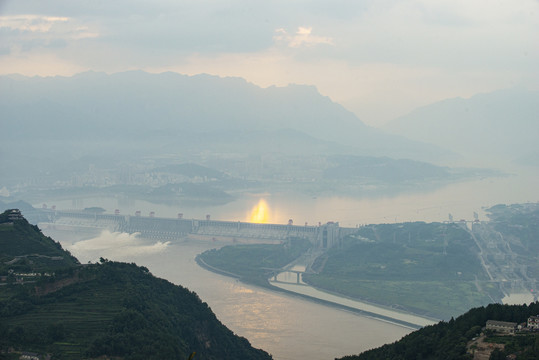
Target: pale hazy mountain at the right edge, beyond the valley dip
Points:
(502, 124)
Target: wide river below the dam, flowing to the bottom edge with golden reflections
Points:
(286, 326)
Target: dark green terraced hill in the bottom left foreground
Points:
(108, 309)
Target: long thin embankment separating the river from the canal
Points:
(268, 286)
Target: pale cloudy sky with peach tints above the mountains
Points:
(379, 58)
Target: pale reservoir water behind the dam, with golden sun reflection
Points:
(460, 199)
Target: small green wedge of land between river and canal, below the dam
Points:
(253, 263)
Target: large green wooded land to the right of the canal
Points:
(429, 268)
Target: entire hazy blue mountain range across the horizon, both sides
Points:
(54, 128)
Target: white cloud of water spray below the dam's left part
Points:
(115, 246)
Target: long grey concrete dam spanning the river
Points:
(322, 236)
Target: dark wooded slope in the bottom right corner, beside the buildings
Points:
(448, 340)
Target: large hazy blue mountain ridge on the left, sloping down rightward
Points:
(170, 109)
